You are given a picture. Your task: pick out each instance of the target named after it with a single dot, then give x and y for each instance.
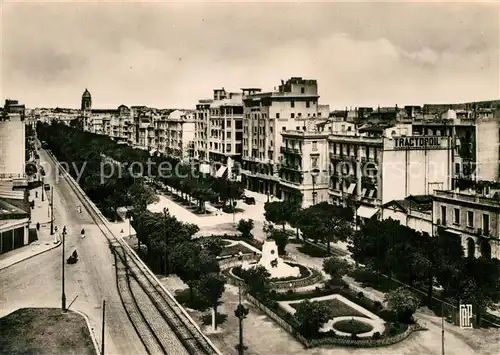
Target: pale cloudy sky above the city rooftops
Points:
(170, 55)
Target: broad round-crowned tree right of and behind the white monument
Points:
(326, 222)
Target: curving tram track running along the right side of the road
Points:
(158, 319)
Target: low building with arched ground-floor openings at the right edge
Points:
(470, 218)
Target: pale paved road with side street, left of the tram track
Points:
(36, 282)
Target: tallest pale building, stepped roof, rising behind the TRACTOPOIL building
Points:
(294, 106)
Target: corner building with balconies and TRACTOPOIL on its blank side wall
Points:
(364, 168)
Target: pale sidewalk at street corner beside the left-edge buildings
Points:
(45, 241)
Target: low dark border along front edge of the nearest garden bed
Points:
(339, 341)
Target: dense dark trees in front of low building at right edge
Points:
(419, 260)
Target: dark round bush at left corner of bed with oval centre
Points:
(311, 316)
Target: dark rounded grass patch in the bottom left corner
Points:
(44, 331)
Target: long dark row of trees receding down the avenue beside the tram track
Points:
(111, 187)
